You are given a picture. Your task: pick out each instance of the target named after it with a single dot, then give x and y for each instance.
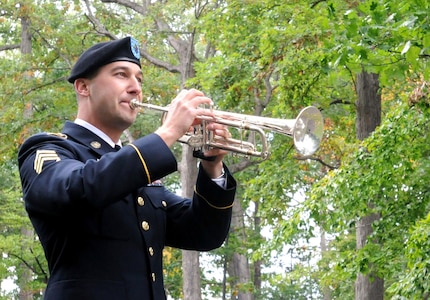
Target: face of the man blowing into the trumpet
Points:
(110, 93)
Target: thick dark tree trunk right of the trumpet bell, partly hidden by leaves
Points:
(368, 105)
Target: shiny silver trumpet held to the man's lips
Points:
(306, 130)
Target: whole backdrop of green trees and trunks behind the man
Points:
(296, 231)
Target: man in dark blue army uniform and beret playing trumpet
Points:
(101, 214)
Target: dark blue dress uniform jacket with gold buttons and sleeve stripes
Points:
(102, 221)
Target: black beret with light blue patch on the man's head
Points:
(126, 49)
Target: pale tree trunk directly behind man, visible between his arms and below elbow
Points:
(190, 259)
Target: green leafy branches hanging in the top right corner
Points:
(385, 37)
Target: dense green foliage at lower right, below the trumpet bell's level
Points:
(391, 171)
